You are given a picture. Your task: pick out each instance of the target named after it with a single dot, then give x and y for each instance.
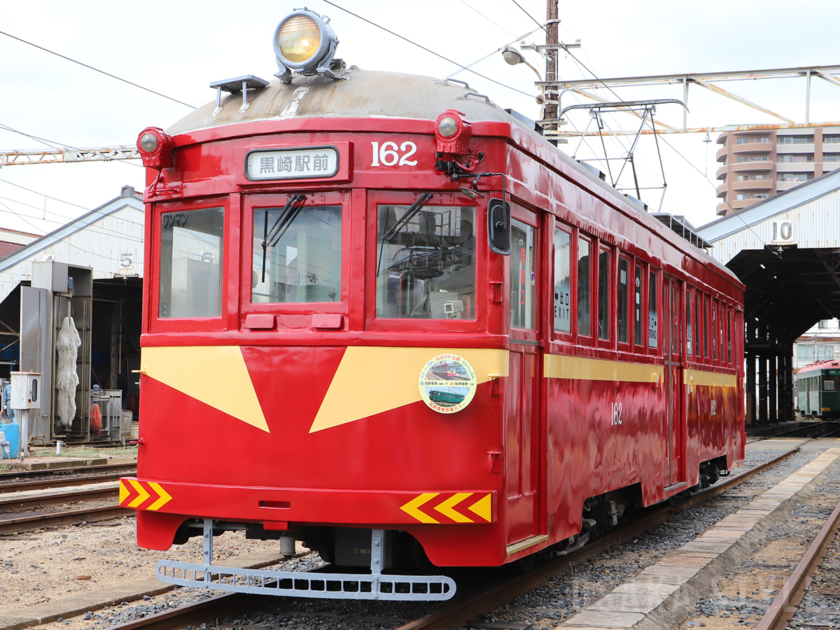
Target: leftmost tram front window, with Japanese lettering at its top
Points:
(191, 263)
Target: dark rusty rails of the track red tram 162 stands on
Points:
(463, 609)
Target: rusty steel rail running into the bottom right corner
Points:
(784, 607)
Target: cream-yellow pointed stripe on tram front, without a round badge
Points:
(214, 375)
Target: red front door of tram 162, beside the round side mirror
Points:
(523, 396)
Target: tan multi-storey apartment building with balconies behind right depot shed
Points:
(758, 164)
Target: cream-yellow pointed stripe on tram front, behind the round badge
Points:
(371, 380)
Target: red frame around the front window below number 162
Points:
(374, 199)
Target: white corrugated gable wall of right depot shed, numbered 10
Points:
(814, 224)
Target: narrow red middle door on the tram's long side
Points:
(672, 351)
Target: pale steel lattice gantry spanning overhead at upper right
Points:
(555, 90)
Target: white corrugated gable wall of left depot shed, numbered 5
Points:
(111, 246)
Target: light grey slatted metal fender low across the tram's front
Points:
(297, 584)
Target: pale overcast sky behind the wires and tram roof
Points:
(179, 48)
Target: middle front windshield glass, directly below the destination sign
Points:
(302, 263)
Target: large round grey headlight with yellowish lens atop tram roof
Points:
(304, 42)
